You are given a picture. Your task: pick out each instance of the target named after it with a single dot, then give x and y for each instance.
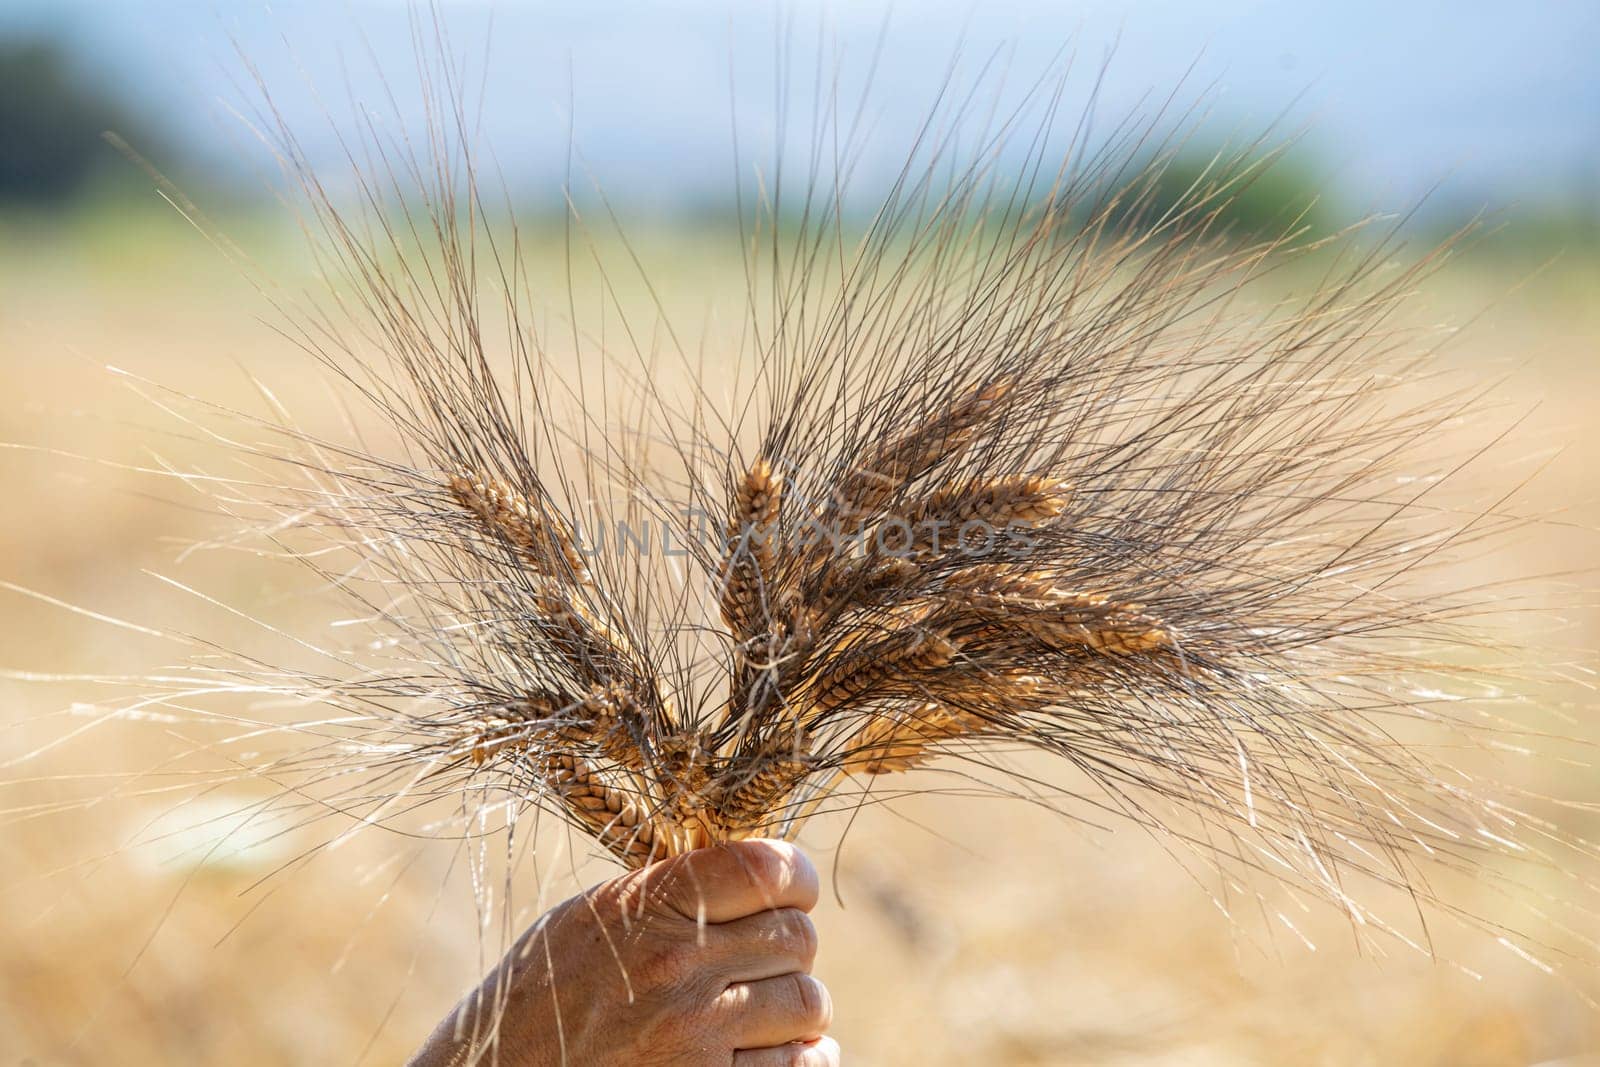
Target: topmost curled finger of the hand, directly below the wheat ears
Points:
(729, 882)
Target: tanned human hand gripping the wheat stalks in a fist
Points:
(697, 961)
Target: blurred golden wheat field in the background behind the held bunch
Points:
(959, 933)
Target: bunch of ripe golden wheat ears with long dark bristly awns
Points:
(1015, 465)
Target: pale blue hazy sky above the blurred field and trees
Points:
(1495, 102)
